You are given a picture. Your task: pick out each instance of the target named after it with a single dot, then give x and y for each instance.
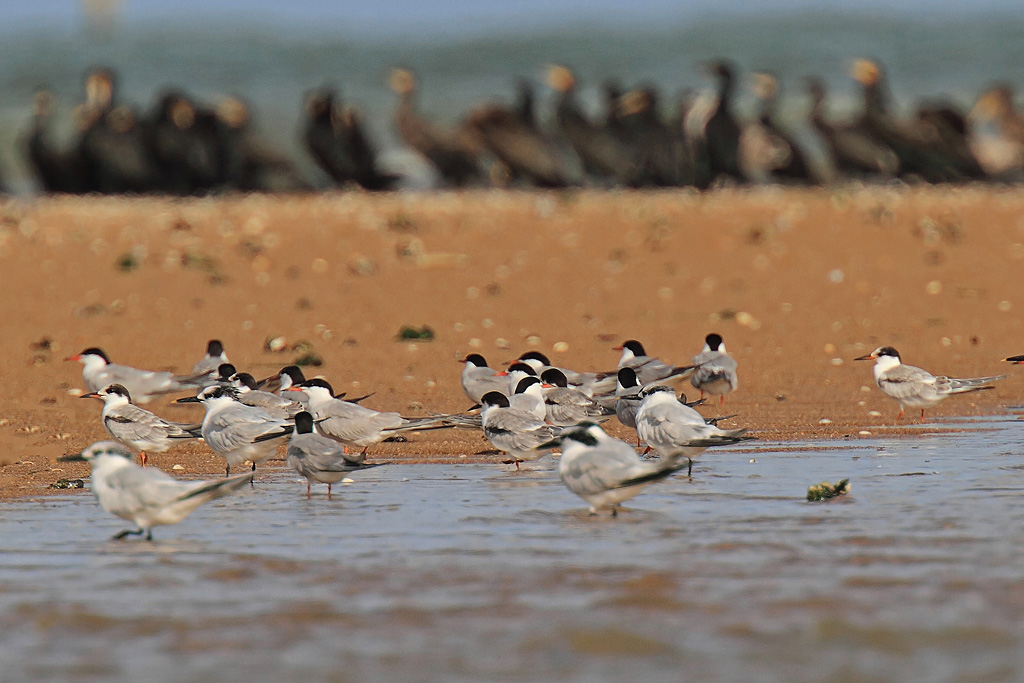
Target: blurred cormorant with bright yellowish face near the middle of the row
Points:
(602, 153)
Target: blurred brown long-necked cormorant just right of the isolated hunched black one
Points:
(453, 152)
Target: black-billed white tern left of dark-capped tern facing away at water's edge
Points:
(237, 433)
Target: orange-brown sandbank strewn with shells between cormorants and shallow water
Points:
(797, 282)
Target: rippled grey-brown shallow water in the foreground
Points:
(476, 573)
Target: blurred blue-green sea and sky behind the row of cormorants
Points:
(272, 54)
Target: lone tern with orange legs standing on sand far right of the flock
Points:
(914, 388)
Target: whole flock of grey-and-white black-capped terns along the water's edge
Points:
(526, 412)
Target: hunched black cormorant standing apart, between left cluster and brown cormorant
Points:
(337, 141)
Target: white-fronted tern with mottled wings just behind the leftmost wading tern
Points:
(138, 428)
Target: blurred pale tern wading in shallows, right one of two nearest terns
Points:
(603, 471)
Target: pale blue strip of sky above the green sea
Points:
(448, 17)
